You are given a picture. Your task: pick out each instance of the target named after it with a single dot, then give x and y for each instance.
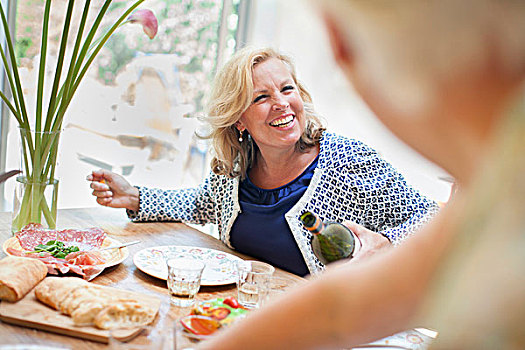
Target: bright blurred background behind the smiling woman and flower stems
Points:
(137, 111)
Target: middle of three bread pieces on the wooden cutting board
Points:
(53, 290)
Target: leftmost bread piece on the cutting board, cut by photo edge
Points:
(18, 276)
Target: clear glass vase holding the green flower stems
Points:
(36, 189)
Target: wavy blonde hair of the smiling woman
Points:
(230, 96)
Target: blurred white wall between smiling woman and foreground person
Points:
(294, 28)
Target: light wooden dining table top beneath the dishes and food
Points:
(126, 275)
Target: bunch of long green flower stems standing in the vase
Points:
(40, 147)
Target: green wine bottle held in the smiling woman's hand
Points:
(331, 241)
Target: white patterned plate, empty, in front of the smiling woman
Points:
(219, 270)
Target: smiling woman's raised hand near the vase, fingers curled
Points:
(112, 190)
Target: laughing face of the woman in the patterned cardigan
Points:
(275, 119)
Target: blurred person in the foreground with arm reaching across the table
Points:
(448, 78)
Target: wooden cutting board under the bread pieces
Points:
(29, 312)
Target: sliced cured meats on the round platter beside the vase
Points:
(85, 263)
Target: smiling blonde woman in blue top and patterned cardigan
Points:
(274, 160)
